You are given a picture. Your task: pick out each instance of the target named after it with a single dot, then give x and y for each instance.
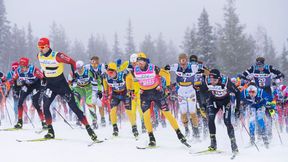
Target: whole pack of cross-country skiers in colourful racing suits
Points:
(138, 85)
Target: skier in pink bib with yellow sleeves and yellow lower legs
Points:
(149, 79)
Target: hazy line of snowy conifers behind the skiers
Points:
(224, 45)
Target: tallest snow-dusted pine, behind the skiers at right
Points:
(235, 48)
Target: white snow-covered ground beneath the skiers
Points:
(74, 146)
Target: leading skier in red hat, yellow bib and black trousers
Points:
(52, 64)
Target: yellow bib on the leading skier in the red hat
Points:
(50, 66)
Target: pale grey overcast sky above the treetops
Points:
(80, 18)
